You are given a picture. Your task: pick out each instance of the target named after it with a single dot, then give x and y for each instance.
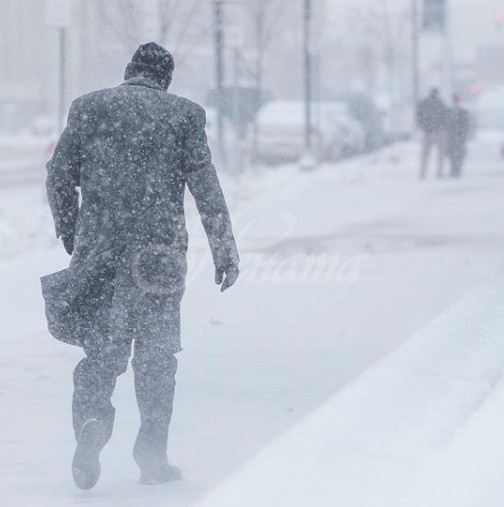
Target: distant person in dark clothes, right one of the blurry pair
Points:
(458, 127)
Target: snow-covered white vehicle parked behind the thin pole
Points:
(281, 131)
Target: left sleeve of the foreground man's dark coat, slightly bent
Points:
(63, 177)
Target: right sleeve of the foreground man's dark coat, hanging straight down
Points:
(203, 183)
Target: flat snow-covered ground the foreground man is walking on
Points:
(262, 356)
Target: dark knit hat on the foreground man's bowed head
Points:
(151, 61)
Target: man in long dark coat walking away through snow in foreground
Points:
(132, 150)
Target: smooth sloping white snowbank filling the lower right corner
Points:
(424, 426)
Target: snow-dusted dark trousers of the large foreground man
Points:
(154, 366)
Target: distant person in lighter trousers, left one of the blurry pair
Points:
(431, 118)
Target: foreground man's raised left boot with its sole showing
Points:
(86, 467)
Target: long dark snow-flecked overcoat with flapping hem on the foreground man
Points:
(132, 150)
